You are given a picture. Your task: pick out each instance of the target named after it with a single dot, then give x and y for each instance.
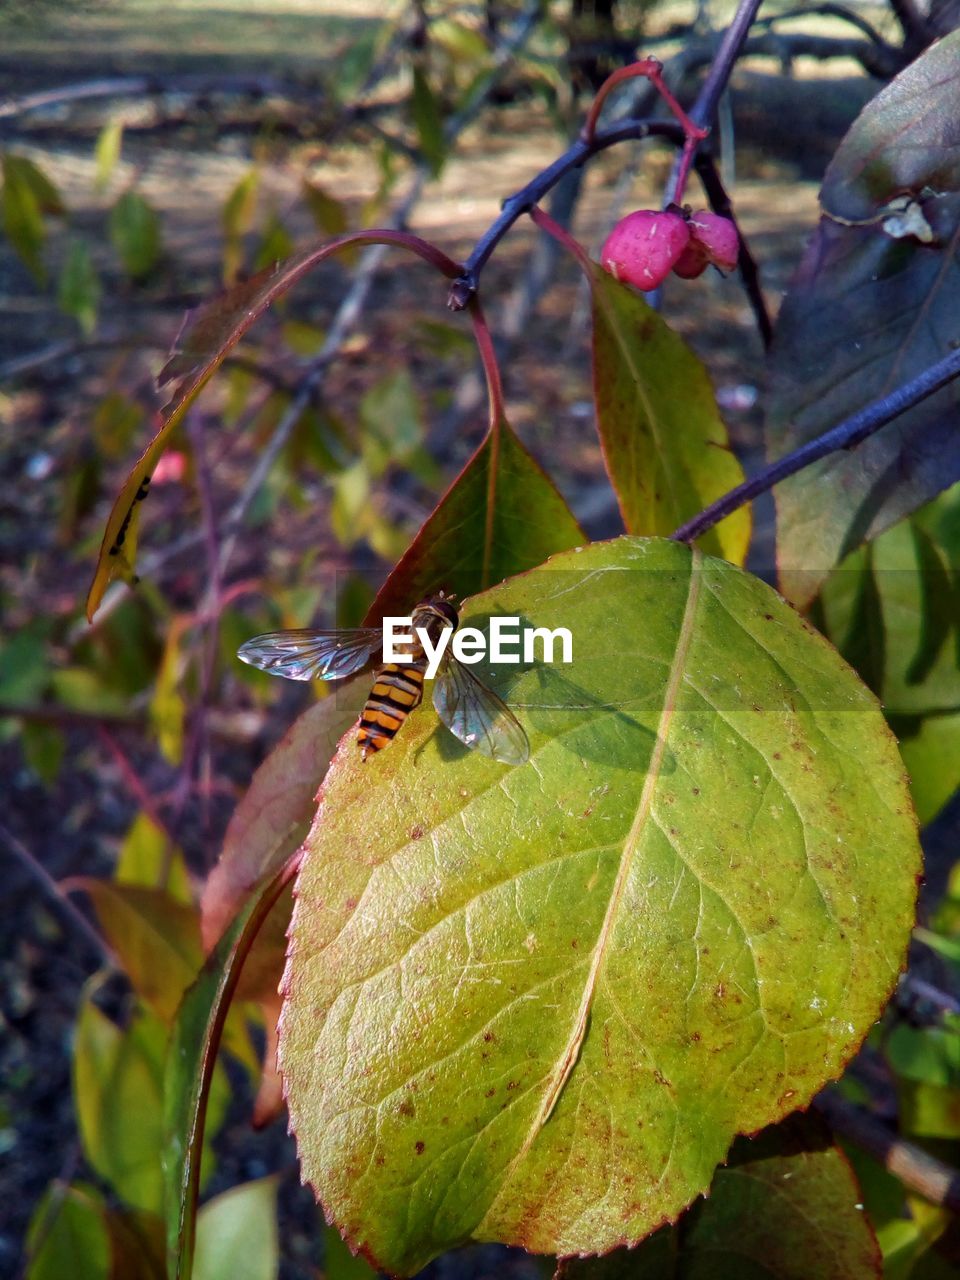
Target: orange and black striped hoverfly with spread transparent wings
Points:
(469, 710)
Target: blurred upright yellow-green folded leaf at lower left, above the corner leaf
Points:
(118, 1099)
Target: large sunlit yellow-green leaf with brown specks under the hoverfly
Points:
(536, 1005)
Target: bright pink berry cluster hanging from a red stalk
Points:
(646, 246)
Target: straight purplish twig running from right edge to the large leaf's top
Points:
(849, 433)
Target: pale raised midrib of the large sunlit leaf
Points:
(568, 1060)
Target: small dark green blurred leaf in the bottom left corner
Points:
(68, 1236)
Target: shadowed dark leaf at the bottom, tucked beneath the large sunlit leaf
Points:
(788, 1206)
